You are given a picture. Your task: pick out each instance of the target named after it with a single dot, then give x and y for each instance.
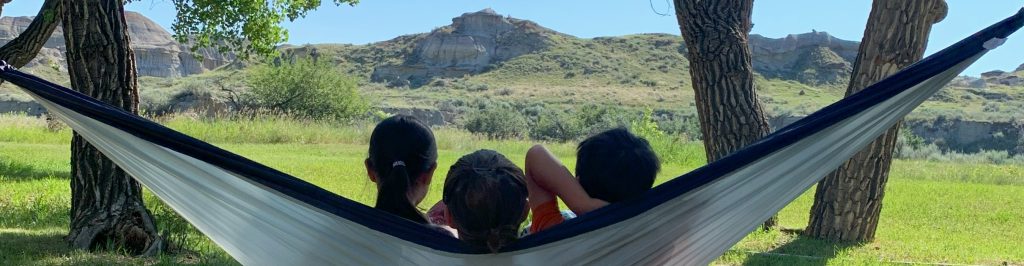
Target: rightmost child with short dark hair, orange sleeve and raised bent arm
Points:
(612, 166)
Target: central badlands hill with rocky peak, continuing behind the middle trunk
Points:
(485, 41)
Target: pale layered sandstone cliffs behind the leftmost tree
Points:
(157, 53)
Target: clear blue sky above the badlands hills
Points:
(375, 21)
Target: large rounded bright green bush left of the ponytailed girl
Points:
(307, 90)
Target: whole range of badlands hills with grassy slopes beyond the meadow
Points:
(520, 60)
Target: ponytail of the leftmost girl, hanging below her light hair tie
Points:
(393, 195)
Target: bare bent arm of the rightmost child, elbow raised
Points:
(547, 176)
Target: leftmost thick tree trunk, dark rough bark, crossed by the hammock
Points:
(107, 204)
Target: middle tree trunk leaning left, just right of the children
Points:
(716, 34)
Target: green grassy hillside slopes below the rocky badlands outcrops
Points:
(633, 72)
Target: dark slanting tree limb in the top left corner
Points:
(26, 47)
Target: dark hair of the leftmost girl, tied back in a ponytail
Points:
(402, 149)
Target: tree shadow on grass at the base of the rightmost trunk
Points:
(801, 251)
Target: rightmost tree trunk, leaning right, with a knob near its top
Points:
(848, 202)
